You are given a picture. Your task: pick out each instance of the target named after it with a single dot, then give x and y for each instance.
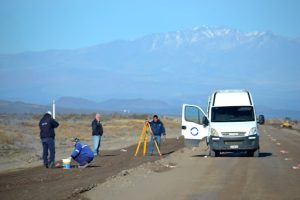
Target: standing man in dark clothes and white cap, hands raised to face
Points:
(47, 125)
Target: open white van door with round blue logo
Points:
(193, 125)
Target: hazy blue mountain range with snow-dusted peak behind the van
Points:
(174, 67)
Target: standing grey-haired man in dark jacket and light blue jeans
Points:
(97, 133)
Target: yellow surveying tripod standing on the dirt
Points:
(144, 138)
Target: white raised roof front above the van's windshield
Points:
(232, 98)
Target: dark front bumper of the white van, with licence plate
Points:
(234, 143)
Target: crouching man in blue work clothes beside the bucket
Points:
(82, 153)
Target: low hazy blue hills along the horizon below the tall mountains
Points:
(128, 106)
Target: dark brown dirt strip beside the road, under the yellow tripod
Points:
(41, 183)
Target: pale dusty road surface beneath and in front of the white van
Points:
(229, 177)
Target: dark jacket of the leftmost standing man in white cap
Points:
(47, 125)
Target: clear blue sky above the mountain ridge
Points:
(33, 25)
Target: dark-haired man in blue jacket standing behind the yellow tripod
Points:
(158, 129)
